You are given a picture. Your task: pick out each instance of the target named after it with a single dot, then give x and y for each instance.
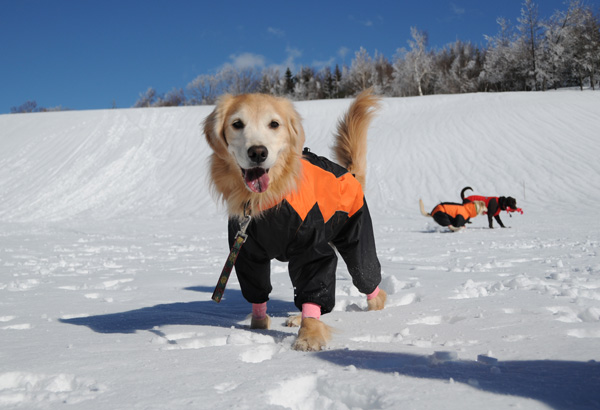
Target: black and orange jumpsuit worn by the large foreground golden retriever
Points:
(327, 212)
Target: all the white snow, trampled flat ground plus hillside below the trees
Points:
(111, 244)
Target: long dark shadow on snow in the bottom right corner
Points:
(563, 385)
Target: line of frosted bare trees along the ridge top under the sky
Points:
(535, 55)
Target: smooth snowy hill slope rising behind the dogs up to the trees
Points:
(151, 162)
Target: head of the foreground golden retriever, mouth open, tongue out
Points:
(256, 134)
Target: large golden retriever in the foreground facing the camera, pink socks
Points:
(304, 207)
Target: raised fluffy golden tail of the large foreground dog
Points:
(350, 148)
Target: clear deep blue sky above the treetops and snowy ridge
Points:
(84, 54)
